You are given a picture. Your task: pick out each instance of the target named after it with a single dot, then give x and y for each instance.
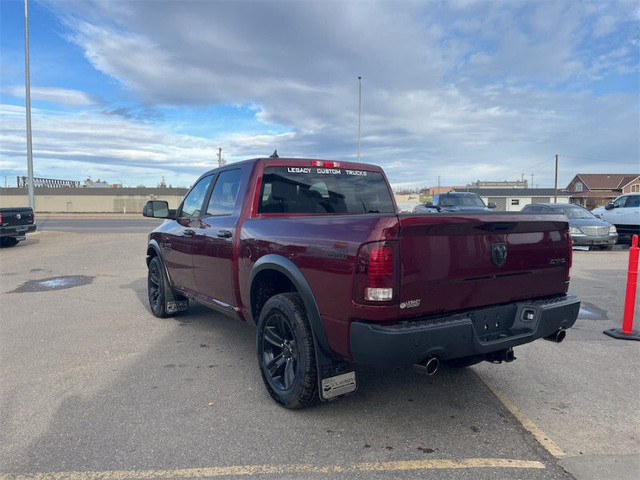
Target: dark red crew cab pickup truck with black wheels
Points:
(315, 254)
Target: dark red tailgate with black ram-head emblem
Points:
(457, 262)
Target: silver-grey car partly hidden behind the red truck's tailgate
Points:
(585, 228)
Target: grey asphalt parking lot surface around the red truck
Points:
(94, 386)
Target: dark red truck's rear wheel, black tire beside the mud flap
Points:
(286, 353)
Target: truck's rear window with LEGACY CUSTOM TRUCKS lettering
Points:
(323, 190)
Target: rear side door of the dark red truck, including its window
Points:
(214, 239)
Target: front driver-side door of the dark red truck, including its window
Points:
(177, 246)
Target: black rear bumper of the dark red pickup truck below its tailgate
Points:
(475, 332)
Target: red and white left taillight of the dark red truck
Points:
(375, 279)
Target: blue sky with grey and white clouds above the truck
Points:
(133, 91)
